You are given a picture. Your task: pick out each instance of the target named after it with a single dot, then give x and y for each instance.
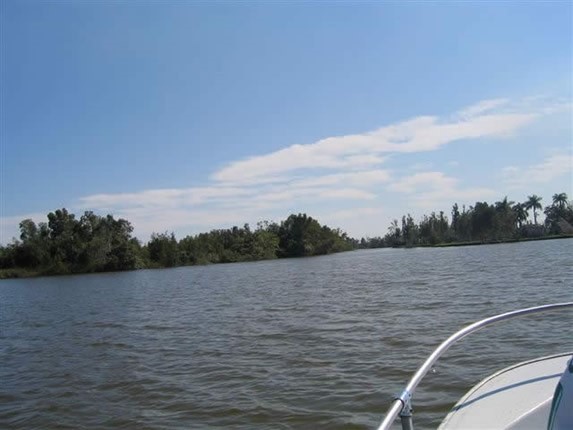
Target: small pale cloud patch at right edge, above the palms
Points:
(549, 169)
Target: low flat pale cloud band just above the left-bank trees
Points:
(192, 210)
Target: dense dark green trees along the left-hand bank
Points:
(92, 243)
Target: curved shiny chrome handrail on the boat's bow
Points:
(402, 404)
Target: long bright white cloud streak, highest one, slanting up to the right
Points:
(425, 133)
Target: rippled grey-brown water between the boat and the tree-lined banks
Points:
(322, 342)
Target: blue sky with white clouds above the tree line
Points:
(188, 116)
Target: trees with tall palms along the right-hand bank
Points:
(501, 221)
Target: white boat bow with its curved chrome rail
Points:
(535, 394)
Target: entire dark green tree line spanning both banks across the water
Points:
(92, 243)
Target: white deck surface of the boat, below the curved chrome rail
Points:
(517, 398)
